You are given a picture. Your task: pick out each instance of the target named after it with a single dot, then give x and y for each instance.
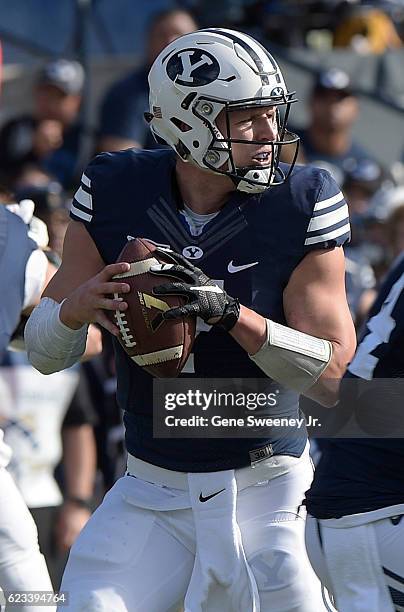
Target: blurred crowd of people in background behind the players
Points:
(74, 83)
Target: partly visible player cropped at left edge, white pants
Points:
(24, 271)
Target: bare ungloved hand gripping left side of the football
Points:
(88, 303)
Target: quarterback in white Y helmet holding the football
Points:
(192, 519)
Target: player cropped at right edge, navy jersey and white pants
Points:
(355, 532)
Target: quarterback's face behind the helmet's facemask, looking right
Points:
(259, 124)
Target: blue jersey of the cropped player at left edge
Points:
(15, 249)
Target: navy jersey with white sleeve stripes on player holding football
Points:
(252, 246)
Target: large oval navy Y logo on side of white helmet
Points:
(193, 67)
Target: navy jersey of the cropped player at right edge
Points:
(360, 475)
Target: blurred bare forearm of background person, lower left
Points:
(79, 461)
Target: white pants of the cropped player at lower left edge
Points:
(22, 566)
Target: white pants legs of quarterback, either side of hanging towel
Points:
(132, 559)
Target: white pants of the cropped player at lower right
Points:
(360, 561)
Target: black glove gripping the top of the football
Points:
(204, 297)
